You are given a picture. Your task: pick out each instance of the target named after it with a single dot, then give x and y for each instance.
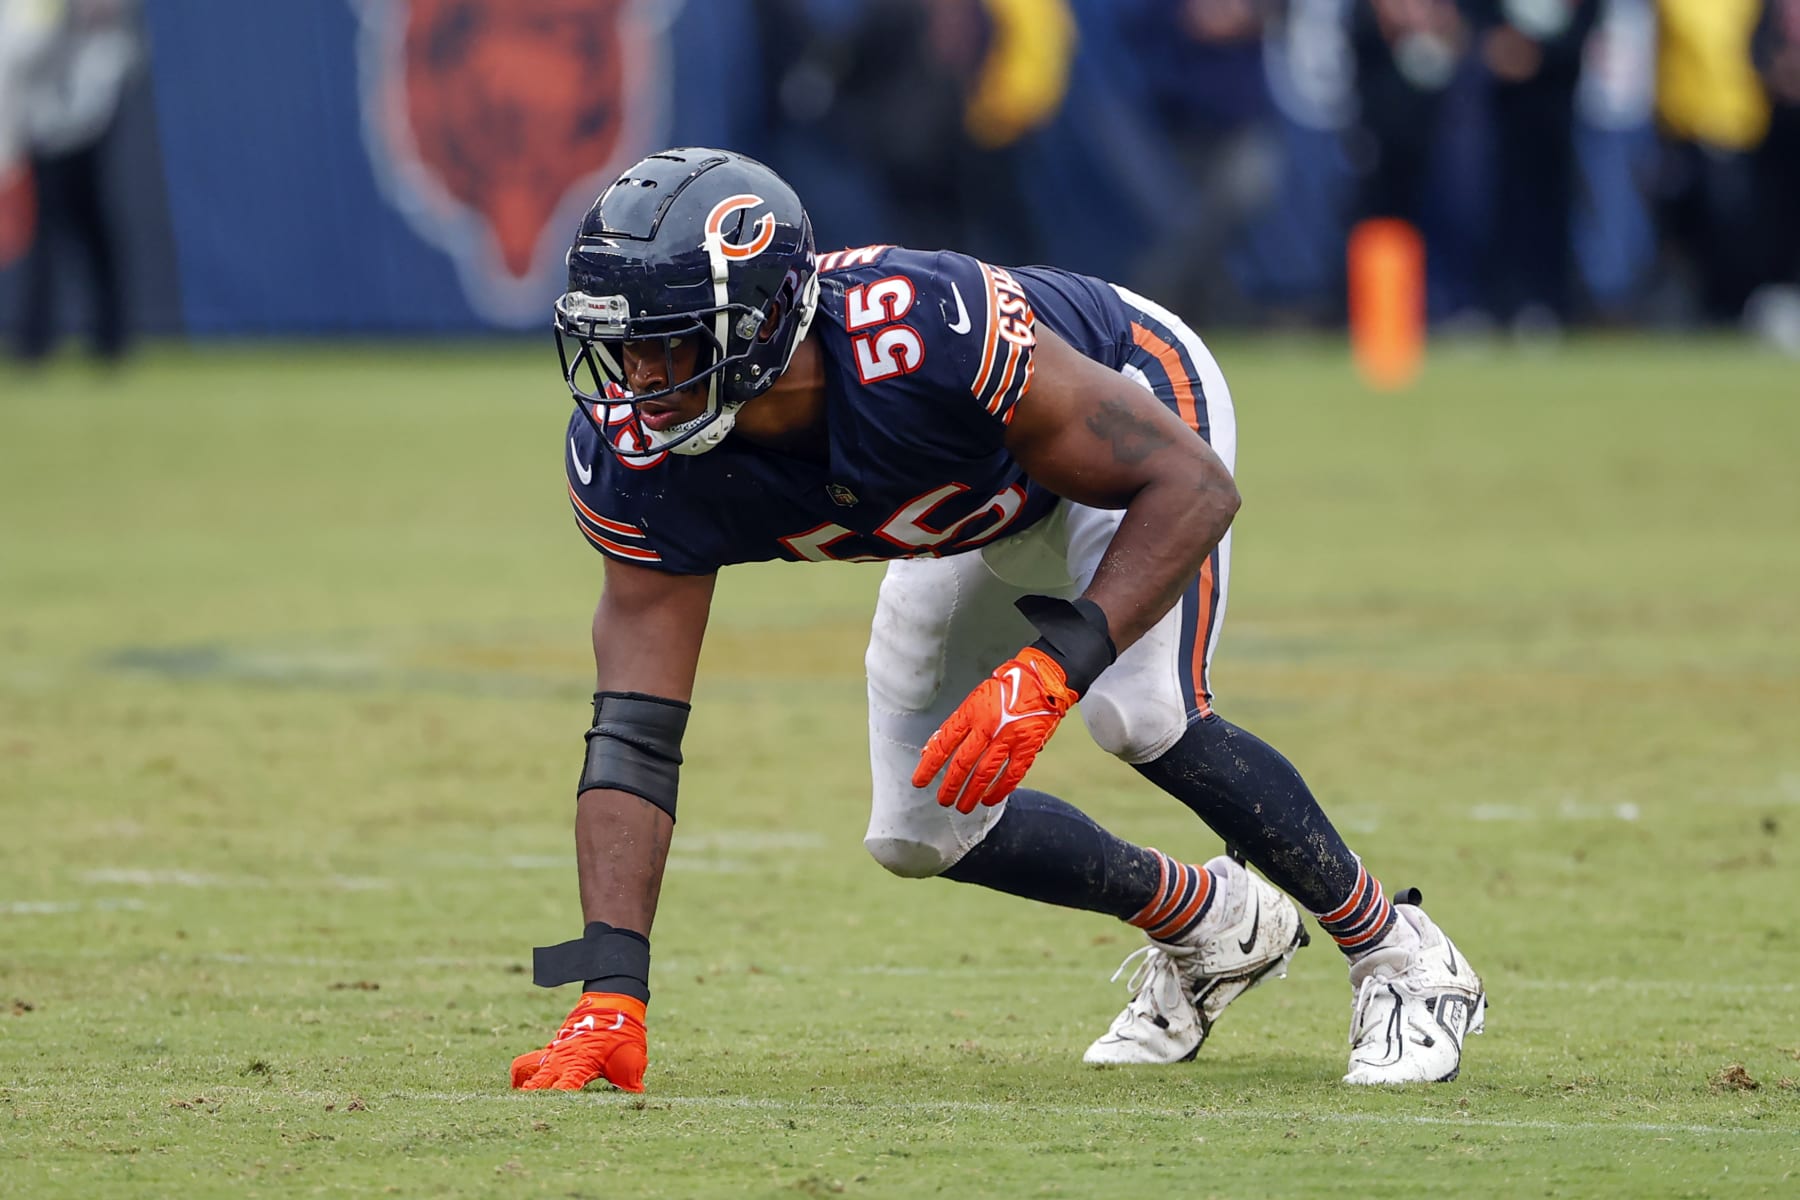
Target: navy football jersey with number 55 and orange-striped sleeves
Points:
(926, 357)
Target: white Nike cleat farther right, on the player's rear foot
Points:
(1416, 1003)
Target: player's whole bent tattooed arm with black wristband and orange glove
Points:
(1095, 438)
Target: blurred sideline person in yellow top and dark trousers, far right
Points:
(1714, 114)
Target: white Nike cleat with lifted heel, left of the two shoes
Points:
(1182, 989)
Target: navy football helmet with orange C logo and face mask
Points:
(688, 244)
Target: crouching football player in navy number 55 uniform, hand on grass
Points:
(1045, 461)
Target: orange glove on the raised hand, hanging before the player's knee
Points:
(996, 733)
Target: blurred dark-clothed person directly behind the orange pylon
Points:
(1407, 58)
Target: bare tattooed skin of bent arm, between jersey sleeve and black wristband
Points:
(1097, 438)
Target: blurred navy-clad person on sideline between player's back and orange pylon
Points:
(1203, 69)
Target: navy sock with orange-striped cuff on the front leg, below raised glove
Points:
(1052, 852)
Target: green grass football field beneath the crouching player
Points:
(294, 672)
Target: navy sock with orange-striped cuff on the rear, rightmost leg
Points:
(1255, 800)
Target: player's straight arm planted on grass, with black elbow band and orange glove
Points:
(647, 643)
